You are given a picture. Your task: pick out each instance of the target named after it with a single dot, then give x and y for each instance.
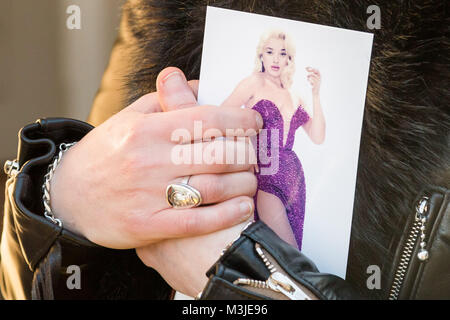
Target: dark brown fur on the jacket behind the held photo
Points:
(405, 138)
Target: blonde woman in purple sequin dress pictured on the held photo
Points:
(280, 198)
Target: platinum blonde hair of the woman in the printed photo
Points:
(288, 72)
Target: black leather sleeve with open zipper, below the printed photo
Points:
(241, 260)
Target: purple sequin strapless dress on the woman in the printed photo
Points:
(283, 178)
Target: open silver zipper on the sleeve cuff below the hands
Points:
(277, 281)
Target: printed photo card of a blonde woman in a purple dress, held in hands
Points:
(306, 178)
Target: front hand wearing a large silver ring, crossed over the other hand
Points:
(110, 186)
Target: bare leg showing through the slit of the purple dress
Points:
(273, 213)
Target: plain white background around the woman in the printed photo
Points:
(343, 58)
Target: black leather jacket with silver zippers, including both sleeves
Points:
(36, 253)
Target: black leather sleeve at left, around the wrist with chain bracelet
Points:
(35, 253)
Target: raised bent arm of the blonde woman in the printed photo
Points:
(315, 127)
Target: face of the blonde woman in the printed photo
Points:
(274, 56)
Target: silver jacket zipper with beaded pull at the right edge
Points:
(417, 231)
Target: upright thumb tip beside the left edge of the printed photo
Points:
(174, 92)
